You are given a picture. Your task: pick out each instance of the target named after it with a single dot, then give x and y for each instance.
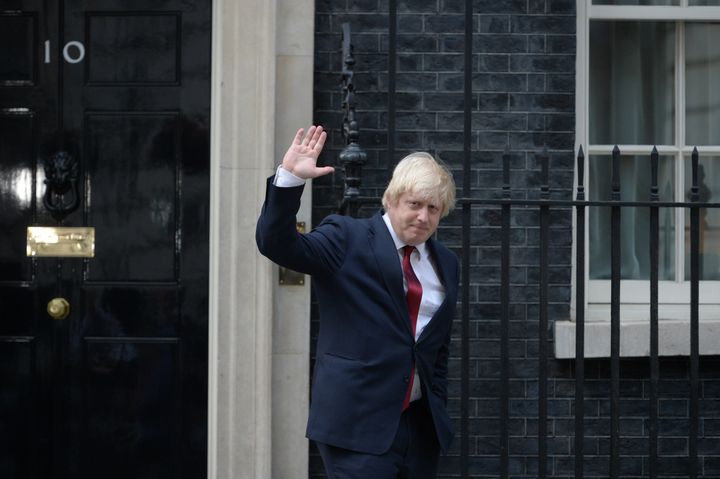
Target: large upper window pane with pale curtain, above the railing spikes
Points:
(632, 82)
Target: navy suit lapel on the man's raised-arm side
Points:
(389, 265)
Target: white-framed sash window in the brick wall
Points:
(648, 75)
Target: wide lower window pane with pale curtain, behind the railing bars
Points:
(635, 222)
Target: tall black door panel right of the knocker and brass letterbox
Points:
(133, 172)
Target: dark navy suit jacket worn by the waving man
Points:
(365, 348)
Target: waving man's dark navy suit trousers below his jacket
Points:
(414, 453)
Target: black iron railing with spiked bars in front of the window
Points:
(544, 205)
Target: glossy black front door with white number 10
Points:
(117, 389)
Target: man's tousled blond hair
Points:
(421, 174)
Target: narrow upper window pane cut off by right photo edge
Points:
(702, 73)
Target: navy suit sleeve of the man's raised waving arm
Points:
(320, 252)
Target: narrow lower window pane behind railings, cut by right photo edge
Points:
(709, 190)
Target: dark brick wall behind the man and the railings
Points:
(523, 100)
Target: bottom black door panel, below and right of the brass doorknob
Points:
(132, 413)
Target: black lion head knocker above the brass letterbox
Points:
(62, 196)
